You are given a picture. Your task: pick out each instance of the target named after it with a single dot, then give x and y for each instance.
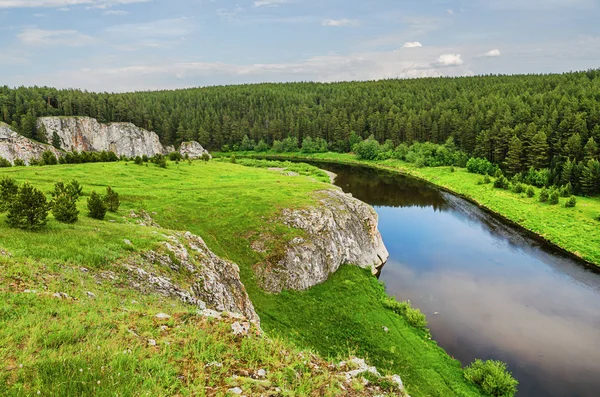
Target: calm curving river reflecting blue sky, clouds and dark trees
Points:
(489, 290)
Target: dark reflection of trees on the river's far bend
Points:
(380, 188)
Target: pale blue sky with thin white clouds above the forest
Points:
(131, 45)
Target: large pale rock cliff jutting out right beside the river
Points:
(341, 230)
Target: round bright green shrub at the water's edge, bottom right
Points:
(493, 378)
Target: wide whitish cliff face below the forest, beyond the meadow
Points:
(85, 134)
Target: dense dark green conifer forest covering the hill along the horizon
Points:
(550, 114)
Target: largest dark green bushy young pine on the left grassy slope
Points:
(28, 209)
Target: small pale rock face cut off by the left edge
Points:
(14, 146)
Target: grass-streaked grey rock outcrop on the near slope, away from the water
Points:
(210, 282)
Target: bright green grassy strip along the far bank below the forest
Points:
(572, 230)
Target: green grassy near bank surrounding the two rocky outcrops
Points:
(106, 335)
